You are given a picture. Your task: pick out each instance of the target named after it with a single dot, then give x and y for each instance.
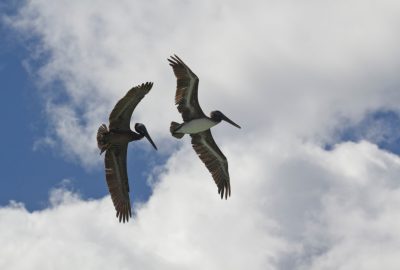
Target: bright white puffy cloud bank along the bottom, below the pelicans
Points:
(308, 209)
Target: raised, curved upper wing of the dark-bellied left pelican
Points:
(120, 116)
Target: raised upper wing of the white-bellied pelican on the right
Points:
(186, 90)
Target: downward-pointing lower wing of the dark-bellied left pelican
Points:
(117, 180)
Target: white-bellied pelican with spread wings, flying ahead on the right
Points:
(198, 125)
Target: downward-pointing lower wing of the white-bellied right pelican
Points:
(215, 161)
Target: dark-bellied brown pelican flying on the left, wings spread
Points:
(115, 143)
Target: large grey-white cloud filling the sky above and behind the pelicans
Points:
(286, 67)
